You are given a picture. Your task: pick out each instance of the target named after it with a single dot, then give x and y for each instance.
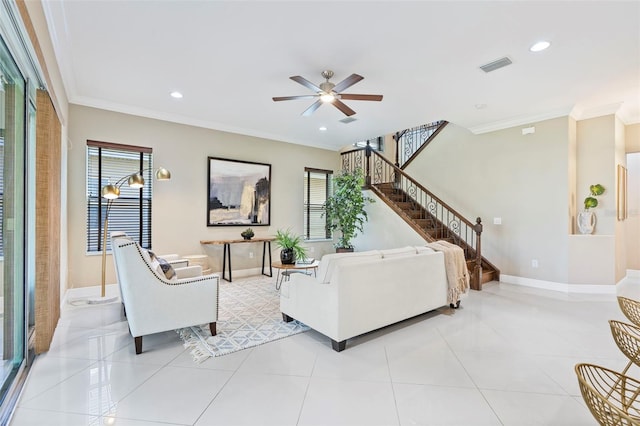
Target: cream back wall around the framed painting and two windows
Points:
(179, 205)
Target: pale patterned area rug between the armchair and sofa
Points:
(248, 315)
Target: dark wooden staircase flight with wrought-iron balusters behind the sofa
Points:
(424, 212)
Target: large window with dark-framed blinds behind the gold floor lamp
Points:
(131, 211)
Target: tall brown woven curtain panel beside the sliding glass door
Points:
(47, 298)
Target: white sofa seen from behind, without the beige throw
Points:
(354, 293)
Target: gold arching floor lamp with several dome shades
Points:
(111, 192)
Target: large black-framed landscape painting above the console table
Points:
(238, 193)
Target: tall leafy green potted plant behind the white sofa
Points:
(344, 209)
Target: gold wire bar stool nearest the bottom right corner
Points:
(611, 397)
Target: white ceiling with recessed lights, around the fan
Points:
(229, 58)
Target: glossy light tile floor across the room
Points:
(506, 357)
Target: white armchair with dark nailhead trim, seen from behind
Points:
(154, 303)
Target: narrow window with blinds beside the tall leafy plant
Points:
(317, 187)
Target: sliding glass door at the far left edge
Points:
(13, 306)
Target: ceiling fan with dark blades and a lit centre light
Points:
(327, 92)
